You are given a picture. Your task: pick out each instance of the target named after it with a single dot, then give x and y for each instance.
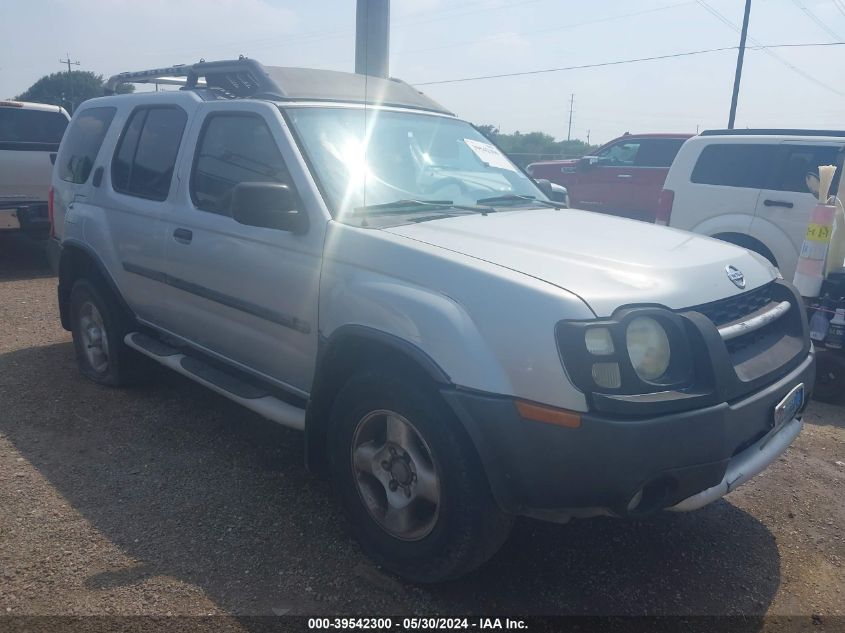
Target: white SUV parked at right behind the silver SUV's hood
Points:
(749, 187)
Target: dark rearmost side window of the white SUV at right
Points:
(735, 165)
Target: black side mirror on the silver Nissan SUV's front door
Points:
(267, 205)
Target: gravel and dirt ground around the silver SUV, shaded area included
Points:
(168, 499)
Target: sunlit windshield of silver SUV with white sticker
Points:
(363, 158)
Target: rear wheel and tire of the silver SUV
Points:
(98, 326)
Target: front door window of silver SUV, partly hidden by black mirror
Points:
(233, 148)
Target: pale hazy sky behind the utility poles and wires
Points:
(438, 40)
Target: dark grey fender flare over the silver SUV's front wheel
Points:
(347, 350)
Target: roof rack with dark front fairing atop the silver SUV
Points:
(247, 78)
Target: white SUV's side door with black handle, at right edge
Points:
(784, 206)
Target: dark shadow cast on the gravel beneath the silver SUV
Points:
(198, 489)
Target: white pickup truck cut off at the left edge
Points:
(29, 139)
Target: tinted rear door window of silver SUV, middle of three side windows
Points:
(146, 155)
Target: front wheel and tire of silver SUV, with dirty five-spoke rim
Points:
(441, 540)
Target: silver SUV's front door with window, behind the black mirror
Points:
(244, 293)
